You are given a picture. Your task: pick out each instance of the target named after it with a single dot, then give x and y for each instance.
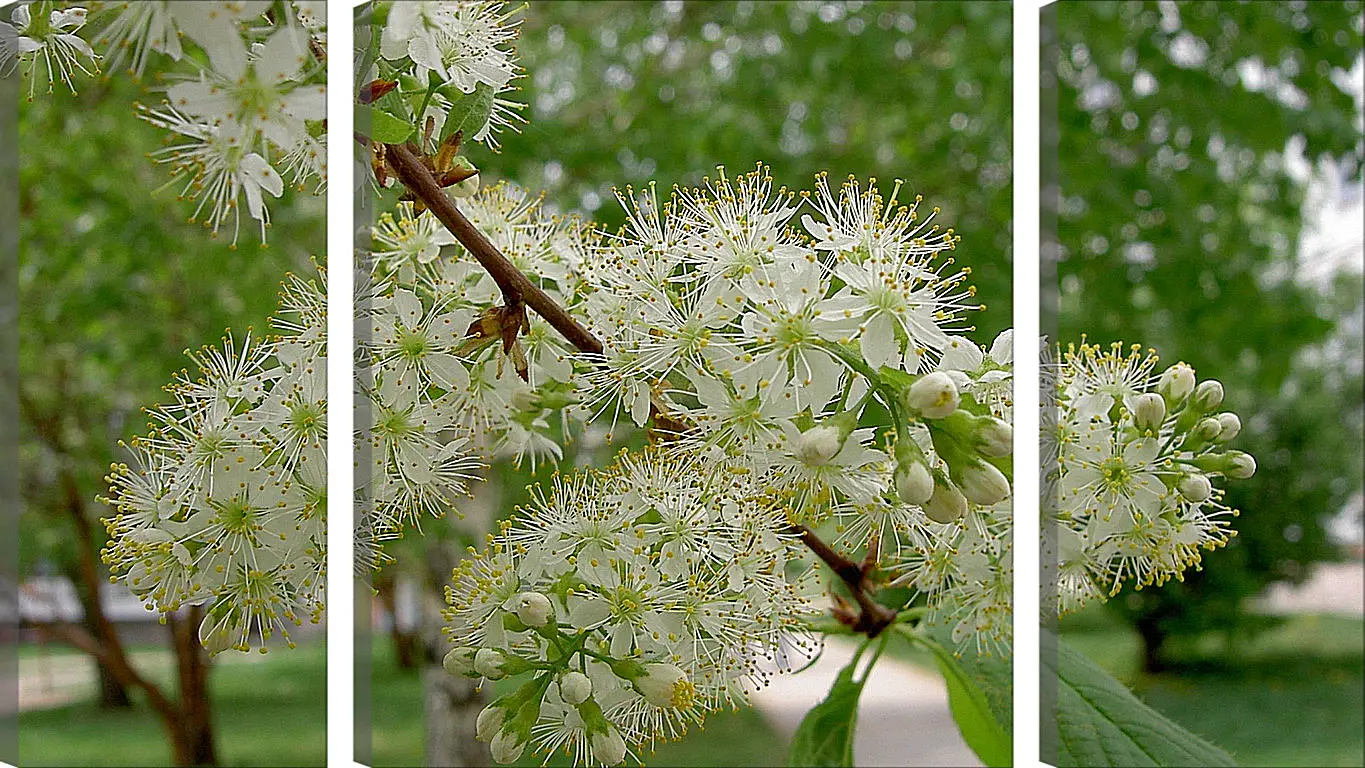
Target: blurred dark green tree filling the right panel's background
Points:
(1188, 137)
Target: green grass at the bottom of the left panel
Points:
(267, 713)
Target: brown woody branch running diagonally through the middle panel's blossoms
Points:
(417, 175)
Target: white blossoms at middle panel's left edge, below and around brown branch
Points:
(443, 389)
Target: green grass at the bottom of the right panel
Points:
(1292, 696)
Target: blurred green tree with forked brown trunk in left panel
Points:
(114, 287)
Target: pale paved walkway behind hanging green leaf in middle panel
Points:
(903, 714)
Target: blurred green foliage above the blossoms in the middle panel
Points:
(622, 93)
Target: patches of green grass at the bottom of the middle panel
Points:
(730, 739)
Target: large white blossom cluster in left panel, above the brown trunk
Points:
(225, 503)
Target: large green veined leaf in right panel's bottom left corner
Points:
(1101, 724)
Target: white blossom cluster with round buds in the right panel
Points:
(1131, 462)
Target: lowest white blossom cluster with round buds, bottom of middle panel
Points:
(637, 601)
